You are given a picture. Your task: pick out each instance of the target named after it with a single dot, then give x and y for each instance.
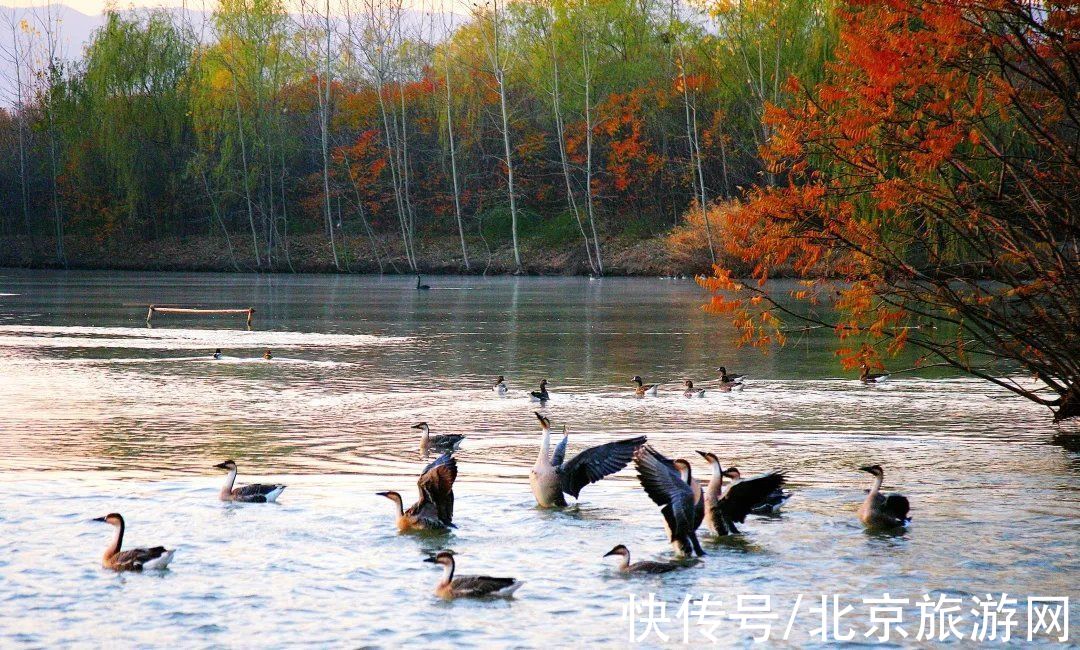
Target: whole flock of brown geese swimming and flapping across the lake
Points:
(685, 503)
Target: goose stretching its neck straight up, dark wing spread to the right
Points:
(551, 479)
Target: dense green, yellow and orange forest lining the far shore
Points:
(377, 137)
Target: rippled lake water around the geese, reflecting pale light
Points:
(103, 414)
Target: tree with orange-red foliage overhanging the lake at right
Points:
(933, 186)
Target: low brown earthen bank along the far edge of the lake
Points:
(312, 254)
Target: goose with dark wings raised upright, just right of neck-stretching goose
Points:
(665, 484)
